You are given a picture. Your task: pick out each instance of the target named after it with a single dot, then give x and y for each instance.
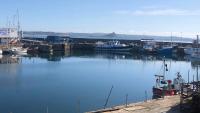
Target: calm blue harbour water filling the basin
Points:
(80, 82)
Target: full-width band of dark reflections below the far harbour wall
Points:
(58, 56)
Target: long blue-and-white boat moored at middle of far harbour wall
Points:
(112, 46)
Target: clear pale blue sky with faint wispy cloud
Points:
(143, 17)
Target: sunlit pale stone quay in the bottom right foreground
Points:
(168, 104)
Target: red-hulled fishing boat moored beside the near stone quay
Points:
(165, 87)
